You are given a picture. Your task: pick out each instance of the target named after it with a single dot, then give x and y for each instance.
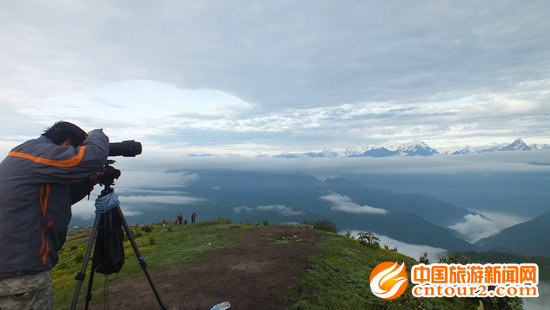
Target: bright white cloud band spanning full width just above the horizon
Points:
(164, 115)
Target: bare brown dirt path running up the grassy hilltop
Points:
(257, 273)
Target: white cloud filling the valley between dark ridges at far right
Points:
(485, 224)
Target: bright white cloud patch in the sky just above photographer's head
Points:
(141, 109)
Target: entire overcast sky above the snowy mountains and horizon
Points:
(249, 77)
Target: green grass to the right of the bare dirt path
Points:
(339, 279)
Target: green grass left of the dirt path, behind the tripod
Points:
(161, 247)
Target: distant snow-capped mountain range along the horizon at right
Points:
(417, 149)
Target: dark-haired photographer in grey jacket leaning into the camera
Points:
(39, 181)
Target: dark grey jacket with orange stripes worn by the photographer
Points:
(38, 185)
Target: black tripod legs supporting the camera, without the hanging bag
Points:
(82, 274)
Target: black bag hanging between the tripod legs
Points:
(109, 249)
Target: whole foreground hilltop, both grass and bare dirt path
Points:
(253, 266)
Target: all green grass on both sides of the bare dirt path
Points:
(335, 276)
